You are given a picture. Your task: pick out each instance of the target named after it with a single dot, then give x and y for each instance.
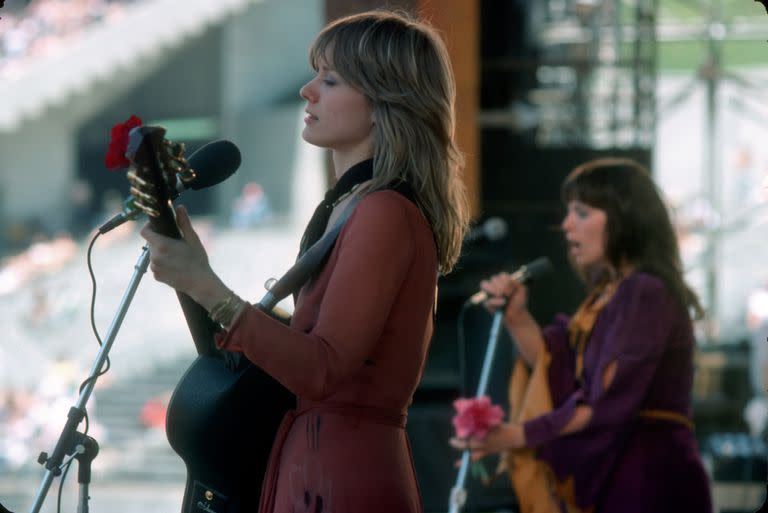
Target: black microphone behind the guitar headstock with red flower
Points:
(213, 163)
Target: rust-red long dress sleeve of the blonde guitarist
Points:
(375, 249)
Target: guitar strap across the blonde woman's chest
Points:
(308, 263)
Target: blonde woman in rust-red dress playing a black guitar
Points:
(382, 101)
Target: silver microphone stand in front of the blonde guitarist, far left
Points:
(71, 442)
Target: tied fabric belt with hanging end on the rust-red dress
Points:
(360, 413)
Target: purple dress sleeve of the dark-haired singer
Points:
(638, 327)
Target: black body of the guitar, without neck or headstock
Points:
(222, 422)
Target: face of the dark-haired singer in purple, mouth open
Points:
(585, 234)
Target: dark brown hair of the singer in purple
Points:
(638, 228)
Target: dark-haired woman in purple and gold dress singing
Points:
(601, 401)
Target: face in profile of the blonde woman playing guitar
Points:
(339, 117)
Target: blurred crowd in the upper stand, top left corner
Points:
(41, 27)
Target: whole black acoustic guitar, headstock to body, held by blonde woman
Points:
(225, 411)
